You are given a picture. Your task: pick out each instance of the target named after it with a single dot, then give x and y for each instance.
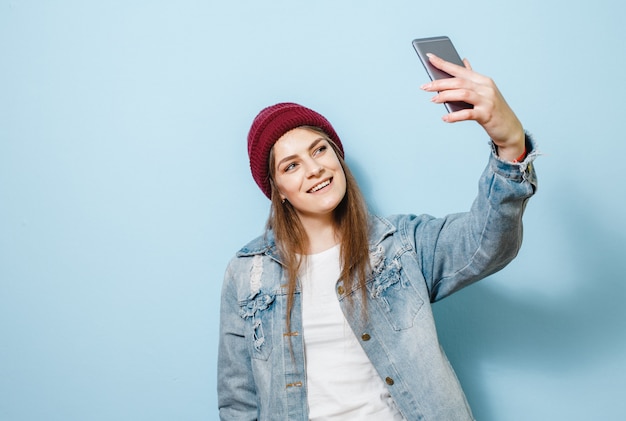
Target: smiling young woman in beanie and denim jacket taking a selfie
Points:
(327, 315)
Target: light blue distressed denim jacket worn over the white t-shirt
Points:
(415, 260)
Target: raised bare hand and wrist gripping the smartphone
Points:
(490, 109)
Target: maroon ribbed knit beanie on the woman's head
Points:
(269, 125)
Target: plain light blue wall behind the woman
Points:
(124, 189)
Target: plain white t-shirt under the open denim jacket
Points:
(342, 383)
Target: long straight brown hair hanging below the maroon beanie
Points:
(350, 220)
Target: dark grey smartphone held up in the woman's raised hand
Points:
(441, 47)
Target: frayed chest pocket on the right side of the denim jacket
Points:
(395, 295)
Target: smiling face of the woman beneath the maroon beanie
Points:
(308, 174)
